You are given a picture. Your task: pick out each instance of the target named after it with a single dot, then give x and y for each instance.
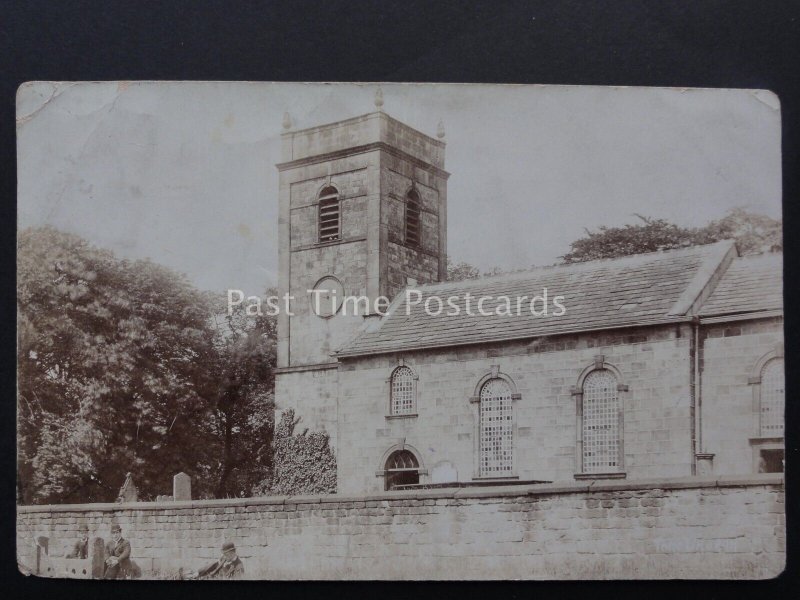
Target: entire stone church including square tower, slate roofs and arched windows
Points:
(664, 364)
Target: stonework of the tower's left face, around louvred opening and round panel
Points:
(307, 339)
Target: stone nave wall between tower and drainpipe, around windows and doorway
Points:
(653, 362)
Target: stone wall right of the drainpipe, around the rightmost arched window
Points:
(730, 353)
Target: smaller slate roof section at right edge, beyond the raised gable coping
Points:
(751, 284)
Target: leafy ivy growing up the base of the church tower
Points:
(304, 463)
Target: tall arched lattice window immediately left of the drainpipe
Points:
(600, 423)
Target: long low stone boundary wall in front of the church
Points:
(681, 528)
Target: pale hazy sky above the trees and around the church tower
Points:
(184, 172)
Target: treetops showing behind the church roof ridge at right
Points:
(753, 233)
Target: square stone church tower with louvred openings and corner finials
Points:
(363, 212)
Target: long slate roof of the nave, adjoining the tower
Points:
(645, 288)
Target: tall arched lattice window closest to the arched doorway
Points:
(496, 429)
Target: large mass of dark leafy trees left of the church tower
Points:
(121, 368)
